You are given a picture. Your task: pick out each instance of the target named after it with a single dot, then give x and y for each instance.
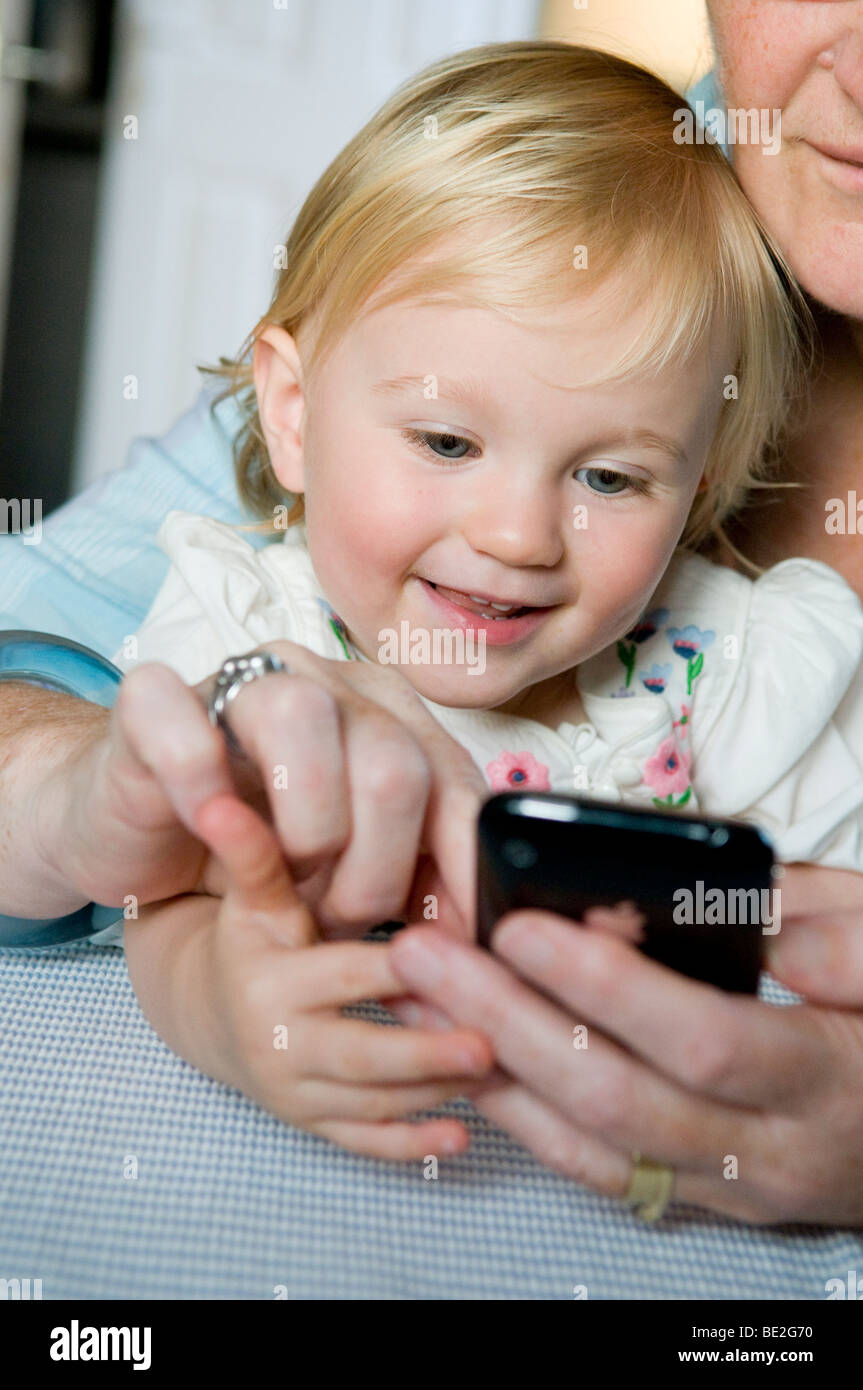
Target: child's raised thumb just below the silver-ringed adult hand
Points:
(261, 889)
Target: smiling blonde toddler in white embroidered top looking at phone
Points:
(525, 355)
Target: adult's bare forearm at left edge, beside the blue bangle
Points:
(42, 739)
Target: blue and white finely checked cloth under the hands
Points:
(229, 1203)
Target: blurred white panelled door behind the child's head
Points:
(222, 117)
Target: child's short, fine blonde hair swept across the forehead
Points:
(548, 147)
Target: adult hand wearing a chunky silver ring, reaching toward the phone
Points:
(373, 801)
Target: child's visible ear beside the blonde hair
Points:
(281, 402)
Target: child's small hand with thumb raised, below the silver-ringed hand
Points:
(277, 996)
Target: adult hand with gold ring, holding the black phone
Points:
(757, 1109)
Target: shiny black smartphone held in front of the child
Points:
(696, 893)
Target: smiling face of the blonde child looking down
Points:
(513, 484)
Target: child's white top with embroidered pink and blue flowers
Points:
(734, 697)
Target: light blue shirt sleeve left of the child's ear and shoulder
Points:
(95, 571)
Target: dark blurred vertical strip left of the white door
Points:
(52, 251)
